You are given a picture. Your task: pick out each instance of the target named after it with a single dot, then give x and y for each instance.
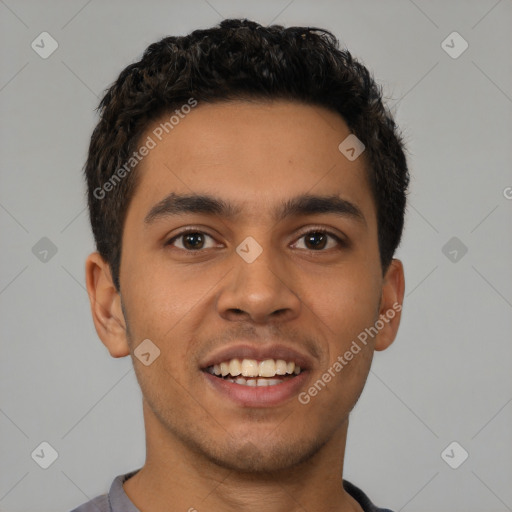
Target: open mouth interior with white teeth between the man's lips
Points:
(254, 373)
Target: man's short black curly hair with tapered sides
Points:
(241, 59)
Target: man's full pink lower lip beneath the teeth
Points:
(258, 396)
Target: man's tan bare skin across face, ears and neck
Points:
(204, 451)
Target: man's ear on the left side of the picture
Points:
(106, 308)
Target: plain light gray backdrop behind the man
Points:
(447, 376)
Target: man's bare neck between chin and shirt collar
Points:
(175, 474)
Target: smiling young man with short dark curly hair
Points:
(246, 192)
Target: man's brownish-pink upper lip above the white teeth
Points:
(259, 352)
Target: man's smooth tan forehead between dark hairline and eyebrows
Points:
(254, 155)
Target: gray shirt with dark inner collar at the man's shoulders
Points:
(117, 500)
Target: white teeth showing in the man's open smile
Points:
(251, 368)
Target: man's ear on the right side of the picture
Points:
(391, 304)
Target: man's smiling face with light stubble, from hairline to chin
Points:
(279, 262)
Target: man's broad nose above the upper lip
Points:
(262, 291)
